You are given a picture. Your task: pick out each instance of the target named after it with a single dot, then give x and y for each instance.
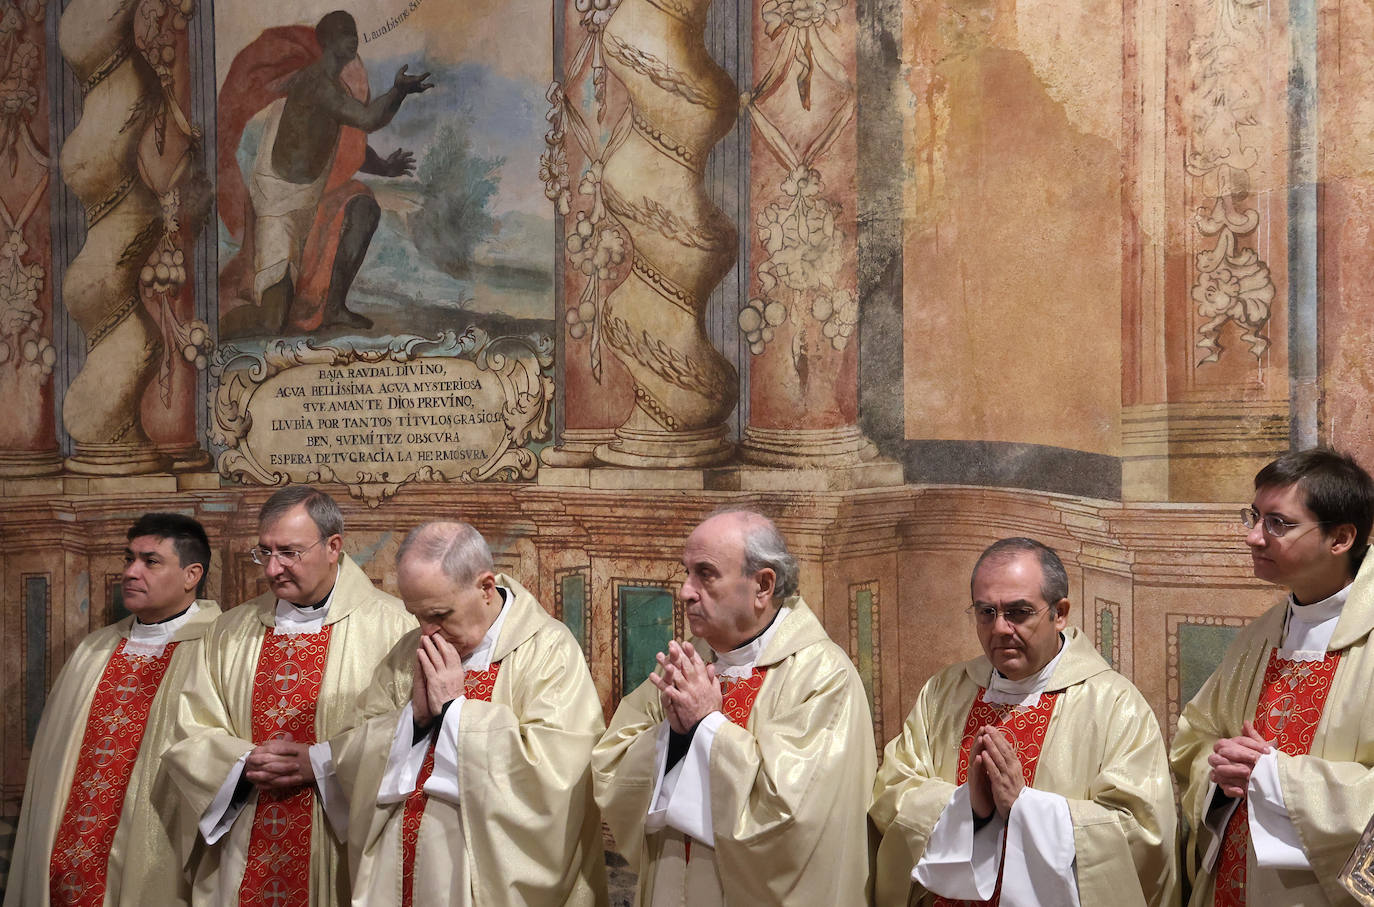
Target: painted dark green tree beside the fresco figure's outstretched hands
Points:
(457, 186)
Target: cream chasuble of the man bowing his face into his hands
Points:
(510, 817)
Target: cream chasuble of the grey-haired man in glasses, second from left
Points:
(215, 726)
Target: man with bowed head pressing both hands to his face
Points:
(488, 697)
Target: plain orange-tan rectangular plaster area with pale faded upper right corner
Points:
(1013, 259)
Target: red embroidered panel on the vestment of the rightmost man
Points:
(1288, 714)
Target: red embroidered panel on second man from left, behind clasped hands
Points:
(286, 691)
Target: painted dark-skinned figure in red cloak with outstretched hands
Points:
(304, 221)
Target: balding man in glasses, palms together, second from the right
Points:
(1038, 744)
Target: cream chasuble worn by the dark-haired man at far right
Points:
(1329, 794)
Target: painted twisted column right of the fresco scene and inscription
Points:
(682, 105)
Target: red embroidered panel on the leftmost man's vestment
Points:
(105, 763)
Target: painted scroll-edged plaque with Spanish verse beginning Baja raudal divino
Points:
(462, 407)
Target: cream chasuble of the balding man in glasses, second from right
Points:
(1103, 754)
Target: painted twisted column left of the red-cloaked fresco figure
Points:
(100, 163)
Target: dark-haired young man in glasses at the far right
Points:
(1276, 752)
